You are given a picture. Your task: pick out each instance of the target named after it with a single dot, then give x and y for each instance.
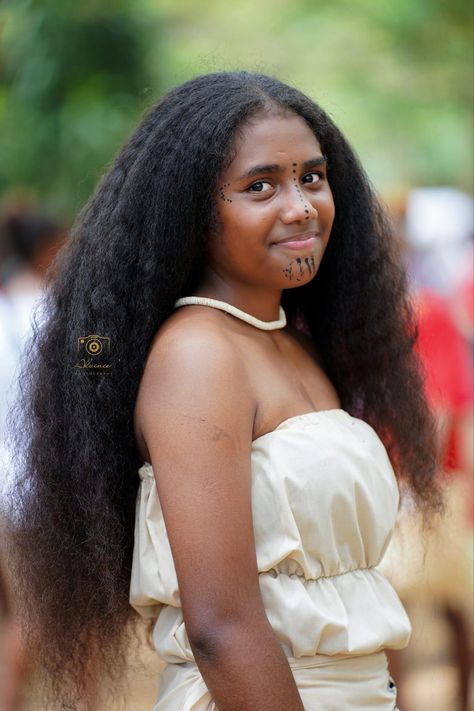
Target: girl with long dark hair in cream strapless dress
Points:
(208, 410)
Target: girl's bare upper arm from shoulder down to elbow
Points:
(198, 428)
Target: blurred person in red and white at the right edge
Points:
(440, 253)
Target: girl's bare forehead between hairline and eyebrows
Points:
(274, 139)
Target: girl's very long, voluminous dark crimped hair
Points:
(136, 247)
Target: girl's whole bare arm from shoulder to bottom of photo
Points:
(198, 429)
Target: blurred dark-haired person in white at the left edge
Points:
(28, 242)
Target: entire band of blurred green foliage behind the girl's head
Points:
(75, 77)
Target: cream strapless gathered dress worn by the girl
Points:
(324, 502)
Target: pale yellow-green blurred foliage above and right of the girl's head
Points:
(396, 76)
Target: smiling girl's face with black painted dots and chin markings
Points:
(275, 207)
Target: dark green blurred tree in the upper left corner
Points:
(74, 78)
